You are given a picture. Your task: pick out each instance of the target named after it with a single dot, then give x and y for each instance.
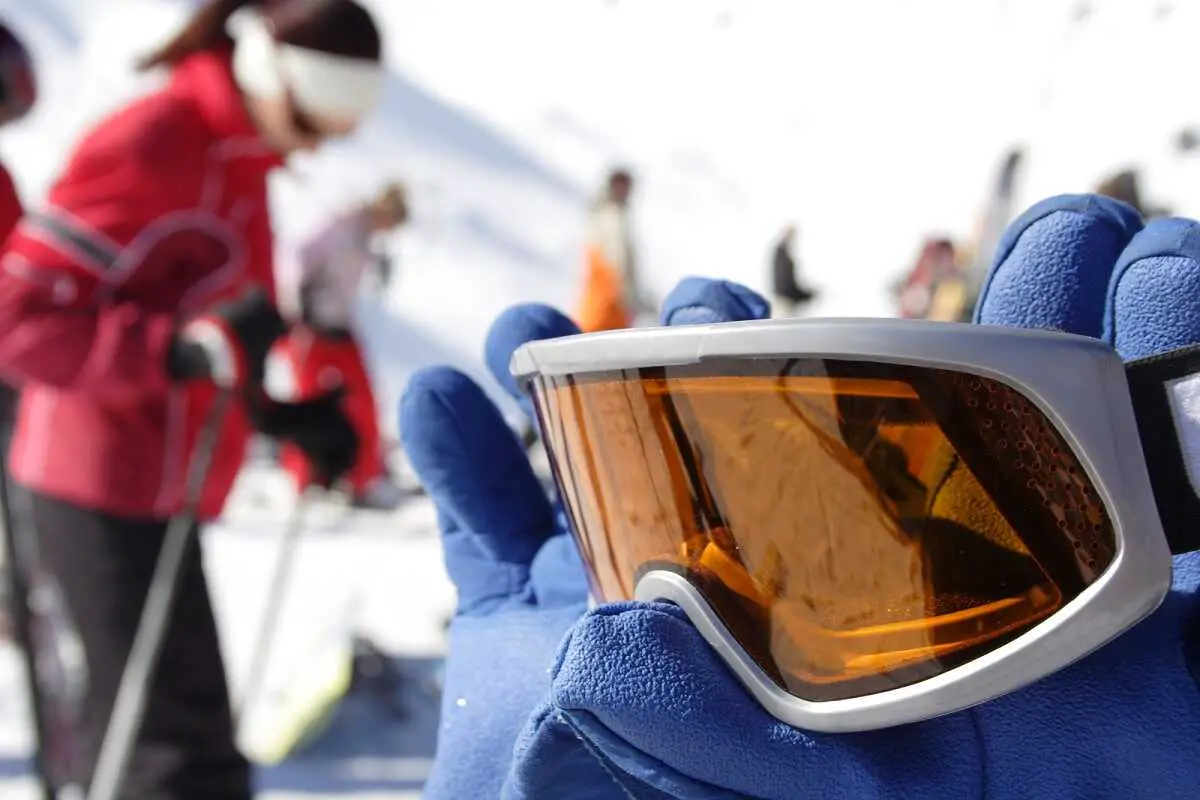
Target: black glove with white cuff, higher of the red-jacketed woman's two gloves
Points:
(230, 344)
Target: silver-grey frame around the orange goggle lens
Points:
(1083, 388)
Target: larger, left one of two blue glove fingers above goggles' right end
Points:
(1053, 267)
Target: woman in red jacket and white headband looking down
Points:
(141, 290)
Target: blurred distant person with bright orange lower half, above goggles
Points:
(614, 296)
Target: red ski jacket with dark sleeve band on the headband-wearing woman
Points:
(161, 212)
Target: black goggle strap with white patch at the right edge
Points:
(1166, 393)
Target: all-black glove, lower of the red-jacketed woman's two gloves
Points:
(317, 426)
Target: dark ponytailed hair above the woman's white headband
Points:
(335, 27)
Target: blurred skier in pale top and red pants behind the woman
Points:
(320, 285)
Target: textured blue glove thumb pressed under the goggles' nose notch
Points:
(638, 682)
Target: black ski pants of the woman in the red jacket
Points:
(187, 749)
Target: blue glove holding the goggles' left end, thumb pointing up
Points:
(521, 585)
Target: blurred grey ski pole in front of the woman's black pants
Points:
(183, 534)
